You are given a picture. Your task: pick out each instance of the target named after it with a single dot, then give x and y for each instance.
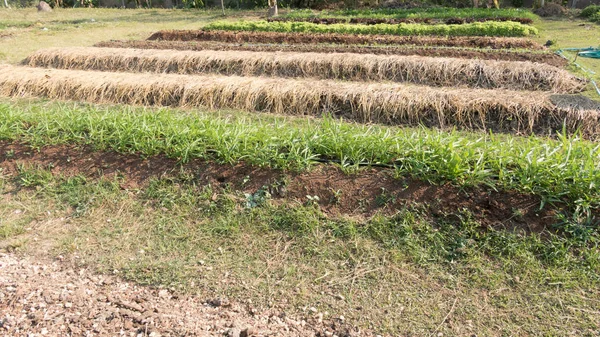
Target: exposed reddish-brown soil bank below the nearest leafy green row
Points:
(361, 195)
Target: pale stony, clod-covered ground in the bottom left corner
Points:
(56, 299)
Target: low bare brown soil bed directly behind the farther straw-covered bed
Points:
(548, 58)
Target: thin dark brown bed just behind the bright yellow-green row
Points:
(374, 21)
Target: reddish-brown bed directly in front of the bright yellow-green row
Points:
(306, 38)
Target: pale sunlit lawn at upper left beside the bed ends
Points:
(87, 26)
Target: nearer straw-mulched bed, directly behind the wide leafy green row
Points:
(498, 110)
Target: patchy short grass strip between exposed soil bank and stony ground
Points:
(180, 233)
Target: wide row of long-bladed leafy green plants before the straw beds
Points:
(531, 165)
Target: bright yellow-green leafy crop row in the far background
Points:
(489, 28)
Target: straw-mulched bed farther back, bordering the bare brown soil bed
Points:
(431, 71)
